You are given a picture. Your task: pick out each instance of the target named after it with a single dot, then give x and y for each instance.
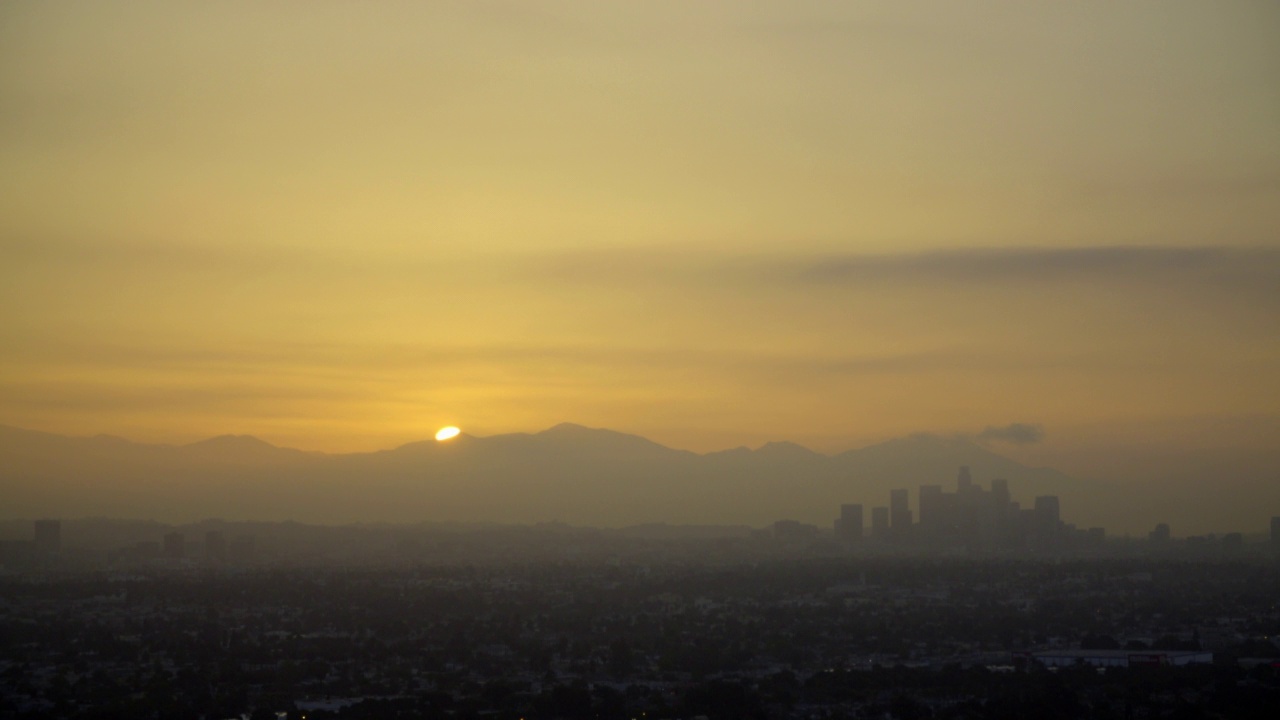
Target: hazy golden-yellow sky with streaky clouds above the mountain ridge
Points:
(341, 226)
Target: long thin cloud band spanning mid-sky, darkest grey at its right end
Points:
(1186, 267)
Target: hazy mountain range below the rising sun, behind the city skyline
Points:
(568, 473)
